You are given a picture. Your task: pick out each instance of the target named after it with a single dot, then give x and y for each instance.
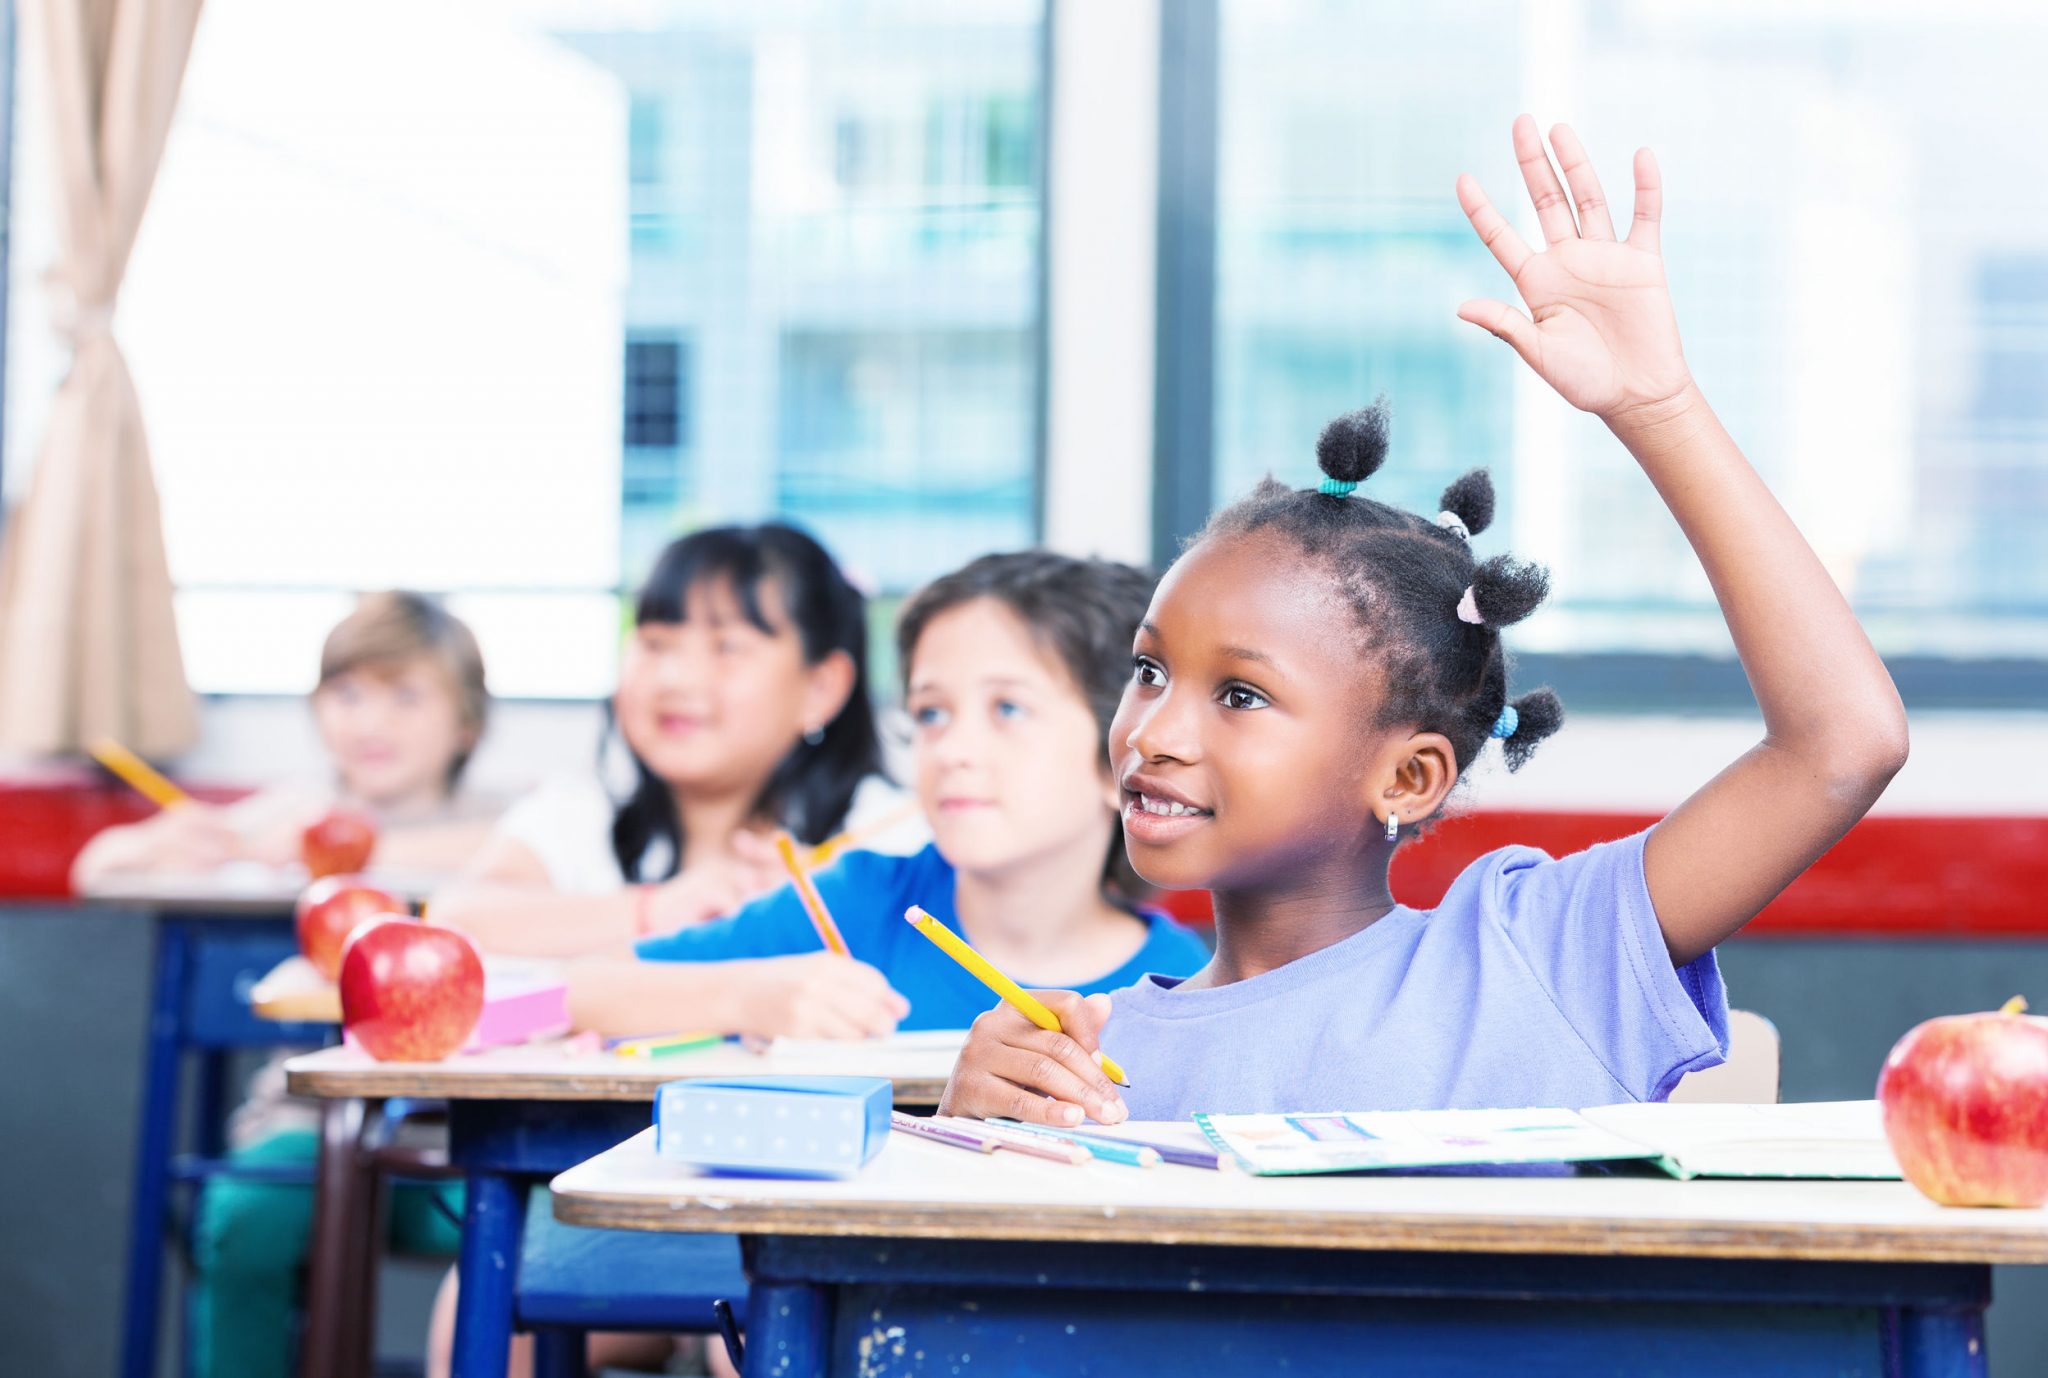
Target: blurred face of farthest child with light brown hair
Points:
(392, 730)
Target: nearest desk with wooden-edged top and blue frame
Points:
(937, 1258)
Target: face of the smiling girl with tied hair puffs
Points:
(1250, 712)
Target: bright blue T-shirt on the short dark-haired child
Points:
(867, 896)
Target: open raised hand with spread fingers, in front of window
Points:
(1601, 327)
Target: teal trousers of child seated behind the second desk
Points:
(249, 1250)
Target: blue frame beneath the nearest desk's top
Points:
(886, 1307)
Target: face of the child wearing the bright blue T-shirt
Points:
(1009, 750)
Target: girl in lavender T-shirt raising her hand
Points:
(1320, 671)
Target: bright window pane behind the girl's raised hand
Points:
(1881, 357)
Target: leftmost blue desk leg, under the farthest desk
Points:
(153, 1152)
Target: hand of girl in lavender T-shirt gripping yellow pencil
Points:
(1017, 1070)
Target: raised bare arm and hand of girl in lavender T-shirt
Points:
(1834, 730)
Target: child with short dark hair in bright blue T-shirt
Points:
(1013, 669)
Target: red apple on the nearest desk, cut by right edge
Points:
(1967, 1109)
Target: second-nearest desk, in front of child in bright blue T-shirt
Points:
(519, 1117)
